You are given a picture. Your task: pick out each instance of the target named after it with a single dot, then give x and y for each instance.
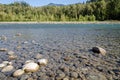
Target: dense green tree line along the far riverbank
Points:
(90, 11)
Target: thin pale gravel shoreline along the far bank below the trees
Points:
(56, 22)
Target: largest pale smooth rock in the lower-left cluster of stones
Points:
(31, 67)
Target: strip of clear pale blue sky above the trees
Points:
(44, 2)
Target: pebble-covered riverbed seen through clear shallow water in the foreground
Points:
(69, 55)
